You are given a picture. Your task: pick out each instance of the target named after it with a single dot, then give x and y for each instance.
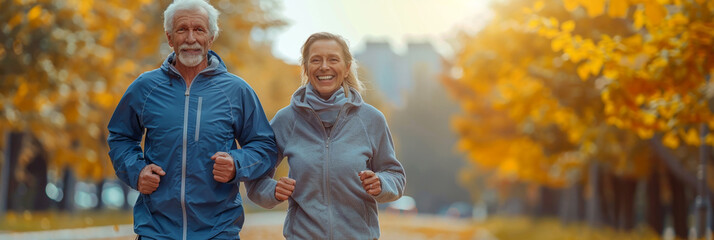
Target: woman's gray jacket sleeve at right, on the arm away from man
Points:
(385, 164)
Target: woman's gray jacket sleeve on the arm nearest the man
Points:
(262, 190)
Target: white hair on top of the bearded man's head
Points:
(201, 5)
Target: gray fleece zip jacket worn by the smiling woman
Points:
(328, 201)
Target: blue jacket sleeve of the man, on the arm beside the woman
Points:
(258, 149)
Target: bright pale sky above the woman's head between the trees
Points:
(394, 21)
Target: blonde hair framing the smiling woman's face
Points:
(351, 80)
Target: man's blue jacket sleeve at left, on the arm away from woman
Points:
(125, 132)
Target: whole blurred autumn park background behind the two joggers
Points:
(514, 119)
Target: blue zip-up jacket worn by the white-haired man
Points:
(184, 127)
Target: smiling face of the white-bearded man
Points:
(190, 37)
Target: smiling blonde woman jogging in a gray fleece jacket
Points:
(339, 150)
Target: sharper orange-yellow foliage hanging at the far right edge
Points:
(654, 81)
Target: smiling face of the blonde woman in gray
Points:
(327, 68)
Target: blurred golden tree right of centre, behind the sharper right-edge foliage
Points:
(528, 117)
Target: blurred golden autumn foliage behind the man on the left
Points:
(66, 64)
